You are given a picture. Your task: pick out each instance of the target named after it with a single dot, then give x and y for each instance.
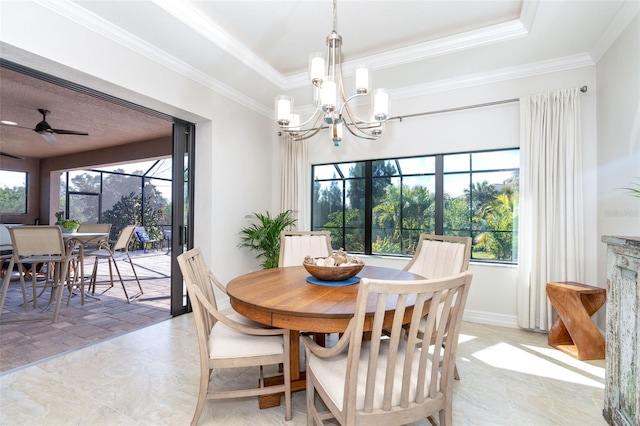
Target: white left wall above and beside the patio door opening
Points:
(234, 146)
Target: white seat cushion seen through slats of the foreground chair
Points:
(331, 375)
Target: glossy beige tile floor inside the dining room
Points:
(150, 377)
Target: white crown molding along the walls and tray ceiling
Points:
(467, 40)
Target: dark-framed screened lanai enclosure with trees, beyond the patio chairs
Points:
(136, 193)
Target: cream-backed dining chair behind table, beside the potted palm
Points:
(296, 245)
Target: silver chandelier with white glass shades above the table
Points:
(332, 105)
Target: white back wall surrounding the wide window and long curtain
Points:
(492, 298)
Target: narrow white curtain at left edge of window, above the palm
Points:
(293, 159)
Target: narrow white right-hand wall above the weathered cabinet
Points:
(618, 142)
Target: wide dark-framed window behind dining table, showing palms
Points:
(382, 206)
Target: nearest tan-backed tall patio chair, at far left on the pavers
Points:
(43, 245)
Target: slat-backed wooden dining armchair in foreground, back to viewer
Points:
(390, 380)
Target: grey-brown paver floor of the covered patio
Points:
(22, 343)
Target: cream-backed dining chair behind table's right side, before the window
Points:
(439, 256)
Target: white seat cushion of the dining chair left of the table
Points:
(236, 345)
